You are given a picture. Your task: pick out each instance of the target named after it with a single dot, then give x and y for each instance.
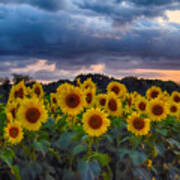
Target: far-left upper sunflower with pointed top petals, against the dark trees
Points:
(17, 91)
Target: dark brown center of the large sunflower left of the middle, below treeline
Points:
(72, 100)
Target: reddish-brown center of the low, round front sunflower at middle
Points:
(95, 121)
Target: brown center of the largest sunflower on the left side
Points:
(32, 115)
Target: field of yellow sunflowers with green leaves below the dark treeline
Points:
(78, 133)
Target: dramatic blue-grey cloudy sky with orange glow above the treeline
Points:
(56, 39)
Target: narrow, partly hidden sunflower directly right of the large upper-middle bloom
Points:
(89, 97)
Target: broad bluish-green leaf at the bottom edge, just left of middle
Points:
(89, 170)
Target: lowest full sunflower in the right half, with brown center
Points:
(138, 125)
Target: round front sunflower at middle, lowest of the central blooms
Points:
(95, 122)
